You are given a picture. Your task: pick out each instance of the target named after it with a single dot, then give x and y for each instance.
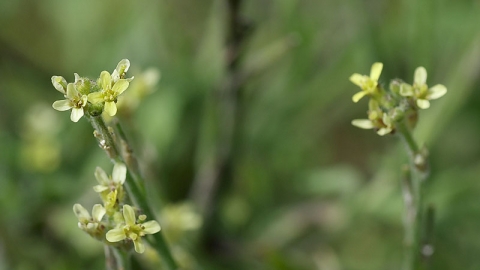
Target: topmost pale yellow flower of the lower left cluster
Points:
(107, 184)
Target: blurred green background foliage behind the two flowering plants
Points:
(282, 180)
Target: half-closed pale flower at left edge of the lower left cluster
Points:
(90, 224)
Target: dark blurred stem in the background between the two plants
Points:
(215, 175)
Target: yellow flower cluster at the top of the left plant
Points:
(87, 96)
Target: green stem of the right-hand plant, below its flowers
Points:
(414, 175)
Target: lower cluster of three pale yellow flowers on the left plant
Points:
(115, 221)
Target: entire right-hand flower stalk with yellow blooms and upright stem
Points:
(395, 111)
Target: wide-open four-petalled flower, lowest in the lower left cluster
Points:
(133, 229)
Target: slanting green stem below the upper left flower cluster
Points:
(106, 138)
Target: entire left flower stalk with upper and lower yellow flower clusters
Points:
(115, 223)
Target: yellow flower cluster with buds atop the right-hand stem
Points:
(400, 101)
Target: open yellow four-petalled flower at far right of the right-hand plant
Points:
(420, 91)
